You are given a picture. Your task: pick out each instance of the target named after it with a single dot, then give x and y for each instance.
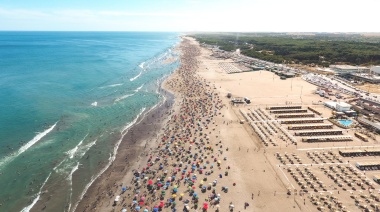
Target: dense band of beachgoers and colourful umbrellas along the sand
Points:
(185, 171)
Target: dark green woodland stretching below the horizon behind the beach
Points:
(320, 49)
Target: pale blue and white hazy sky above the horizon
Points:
(191, 15)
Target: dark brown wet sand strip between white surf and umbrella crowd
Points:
(132, 152)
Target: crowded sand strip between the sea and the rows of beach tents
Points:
(211, 149)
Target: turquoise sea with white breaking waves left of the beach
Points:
(67, 95)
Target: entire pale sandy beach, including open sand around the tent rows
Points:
(195, 154)
